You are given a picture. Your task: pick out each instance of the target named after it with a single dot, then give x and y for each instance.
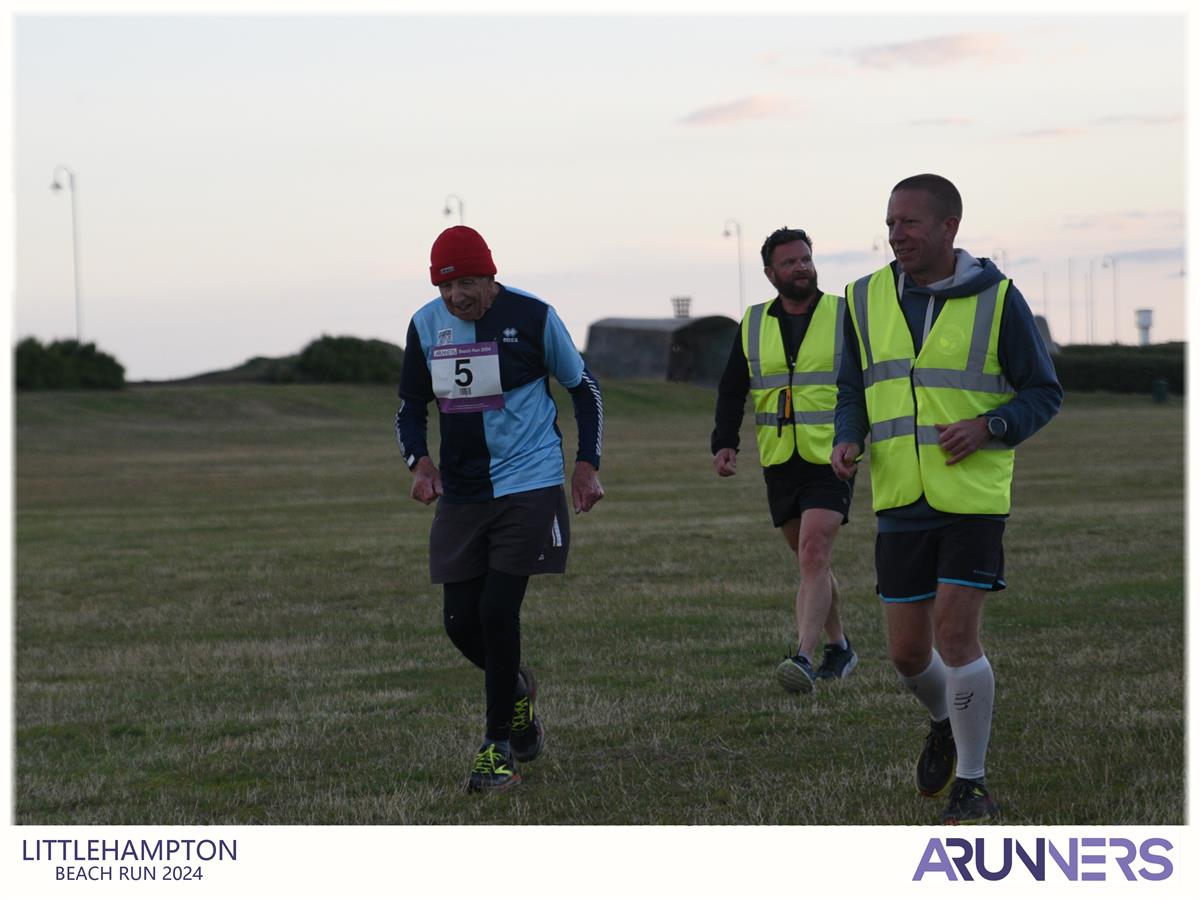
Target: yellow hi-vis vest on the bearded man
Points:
(794, 407)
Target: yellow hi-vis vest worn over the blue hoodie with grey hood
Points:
(956, 376)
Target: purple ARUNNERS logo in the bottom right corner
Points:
(970, 860)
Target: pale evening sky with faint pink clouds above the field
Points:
(245, 184)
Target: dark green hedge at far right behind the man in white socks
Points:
(1120, 369)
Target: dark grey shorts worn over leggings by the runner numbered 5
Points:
(525, 533)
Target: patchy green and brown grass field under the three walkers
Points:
(224, 617)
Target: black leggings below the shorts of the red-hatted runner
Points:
(483, 619)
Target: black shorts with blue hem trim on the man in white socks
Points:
(910, 566)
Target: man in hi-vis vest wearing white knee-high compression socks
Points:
(945, 369)
